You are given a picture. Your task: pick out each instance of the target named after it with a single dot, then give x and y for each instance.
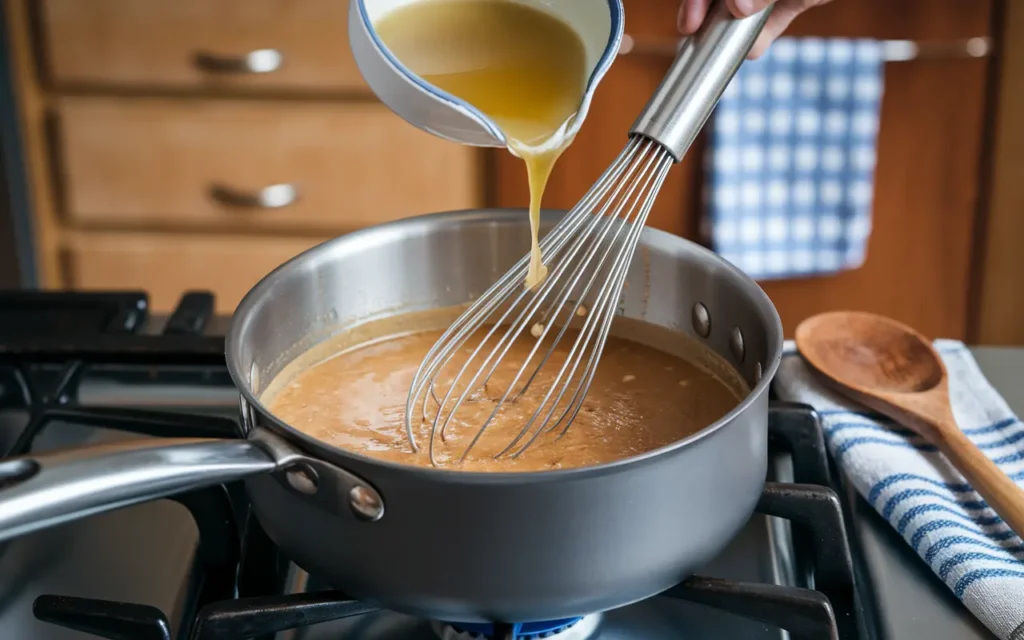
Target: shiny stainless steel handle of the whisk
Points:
(705, 66)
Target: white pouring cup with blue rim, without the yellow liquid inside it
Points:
(599, 23)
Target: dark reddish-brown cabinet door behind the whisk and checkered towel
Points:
(927, 185)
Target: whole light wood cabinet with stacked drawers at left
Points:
(200, 144)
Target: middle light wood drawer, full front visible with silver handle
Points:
(206, 164)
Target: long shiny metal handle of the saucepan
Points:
(44, 491)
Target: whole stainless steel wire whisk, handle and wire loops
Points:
(588, 254)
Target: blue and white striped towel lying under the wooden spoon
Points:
(919, 492)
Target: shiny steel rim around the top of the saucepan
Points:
(244, 313)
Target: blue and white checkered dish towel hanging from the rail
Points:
(791, 164)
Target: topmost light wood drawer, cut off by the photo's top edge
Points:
(200, 44)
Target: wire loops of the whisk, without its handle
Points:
(611, 217)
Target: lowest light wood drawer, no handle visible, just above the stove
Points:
(167, 266)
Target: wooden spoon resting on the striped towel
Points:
(893, 370)
